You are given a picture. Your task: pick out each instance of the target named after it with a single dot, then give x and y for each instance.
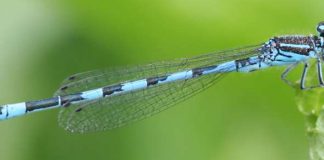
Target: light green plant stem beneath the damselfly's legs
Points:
(310, 103)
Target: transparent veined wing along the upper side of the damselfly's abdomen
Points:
(99, 78)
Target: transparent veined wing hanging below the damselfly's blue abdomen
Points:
(117, 111)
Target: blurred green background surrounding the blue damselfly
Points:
(243, 117)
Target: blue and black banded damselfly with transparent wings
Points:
(106, 99)
